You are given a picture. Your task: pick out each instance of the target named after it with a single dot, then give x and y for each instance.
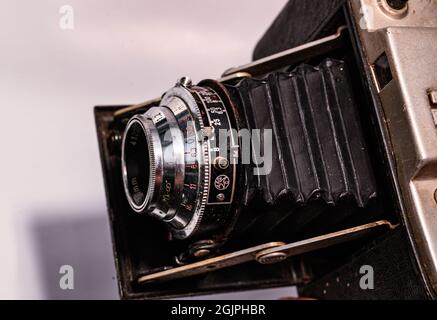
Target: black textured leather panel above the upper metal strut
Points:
(299, 22)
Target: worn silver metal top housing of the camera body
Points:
(410, 45)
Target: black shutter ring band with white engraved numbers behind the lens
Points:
(222, 181)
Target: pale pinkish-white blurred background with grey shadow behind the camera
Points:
(52, 204)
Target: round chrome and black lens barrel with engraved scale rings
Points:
(171, 162)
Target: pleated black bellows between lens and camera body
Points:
(318, 147)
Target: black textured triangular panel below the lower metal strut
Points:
(394, 276)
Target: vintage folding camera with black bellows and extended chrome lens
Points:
(315, 165)
